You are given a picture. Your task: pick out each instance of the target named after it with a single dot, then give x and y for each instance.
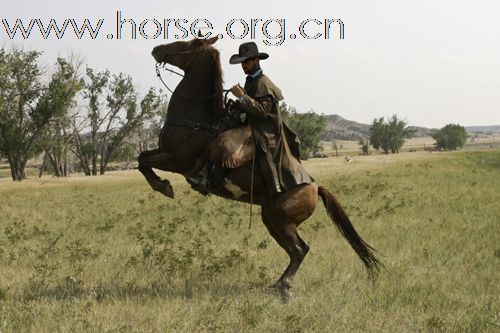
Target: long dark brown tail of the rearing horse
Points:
(366, 253)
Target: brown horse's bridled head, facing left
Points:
(180, 53)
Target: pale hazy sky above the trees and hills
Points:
(430, 62)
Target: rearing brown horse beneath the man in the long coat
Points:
(194, 107)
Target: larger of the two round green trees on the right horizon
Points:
(390, 135)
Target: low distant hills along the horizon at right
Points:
(339, 128)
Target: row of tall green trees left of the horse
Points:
(70, 111)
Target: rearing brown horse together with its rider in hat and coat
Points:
(192, 129)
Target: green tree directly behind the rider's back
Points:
(309, 127)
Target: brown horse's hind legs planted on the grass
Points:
(287, 237)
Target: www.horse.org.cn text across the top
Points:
(271, 31)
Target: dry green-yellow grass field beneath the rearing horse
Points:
(106, 254)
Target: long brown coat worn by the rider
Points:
(277, 145)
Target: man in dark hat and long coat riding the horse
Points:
(276, 145)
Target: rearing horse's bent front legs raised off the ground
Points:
(158, 160)
